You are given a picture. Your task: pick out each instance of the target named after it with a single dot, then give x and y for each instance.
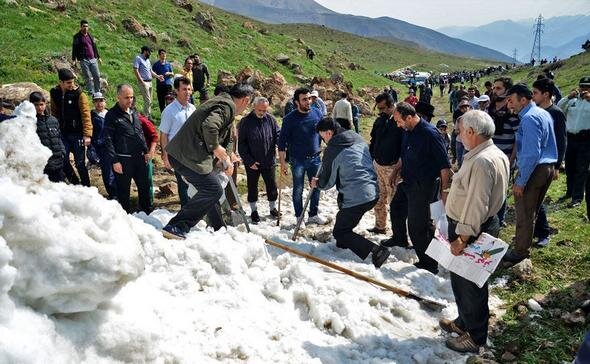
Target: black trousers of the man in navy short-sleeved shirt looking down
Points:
(412, 203)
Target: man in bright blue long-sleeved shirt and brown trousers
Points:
(536, 154)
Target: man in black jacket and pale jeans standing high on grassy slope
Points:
(84, 50)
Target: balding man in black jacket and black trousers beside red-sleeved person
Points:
(127, 149)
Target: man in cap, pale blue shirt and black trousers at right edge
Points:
(576, 107)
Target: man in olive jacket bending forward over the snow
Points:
(205, 138)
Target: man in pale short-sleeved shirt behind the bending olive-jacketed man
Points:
(173, 118)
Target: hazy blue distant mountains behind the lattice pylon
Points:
(562, 36)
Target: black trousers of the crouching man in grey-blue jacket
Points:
(346, 220)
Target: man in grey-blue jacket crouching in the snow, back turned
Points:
(347, 164)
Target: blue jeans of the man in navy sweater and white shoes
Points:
(298, 169)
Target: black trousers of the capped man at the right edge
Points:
(577, 161)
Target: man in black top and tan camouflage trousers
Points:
(386, 138)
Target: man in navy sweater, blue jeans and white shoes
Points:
(298, 136)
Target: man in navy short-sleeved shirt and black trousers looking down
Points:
(422, 161)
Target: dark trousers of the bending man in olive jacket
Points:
(204, 202)
